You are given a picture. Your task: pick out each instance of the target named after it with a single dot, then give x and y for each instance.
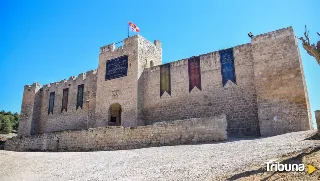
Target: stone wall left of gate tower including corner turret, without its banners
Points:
(35, 118)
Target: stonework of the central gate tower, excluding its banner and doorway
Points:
(124, 90)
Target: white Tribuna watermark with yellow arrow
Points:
(287, 167)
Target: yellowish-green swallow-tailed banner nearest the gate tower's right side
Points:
(165, 80)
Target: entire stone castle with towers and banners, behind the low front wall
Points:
(259, 86)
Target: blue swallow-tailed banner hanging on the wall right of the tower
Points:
(227, 66)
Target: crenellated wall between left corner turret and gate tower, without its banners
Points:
(72, 119)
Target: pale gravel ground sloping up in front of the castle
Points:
(183, 162)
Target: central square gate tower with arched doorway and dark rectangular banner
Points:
(119, 71)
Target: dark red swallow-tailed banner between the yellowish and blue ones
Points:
(194, 73)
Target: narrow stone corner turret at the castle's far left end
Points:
(30, 100)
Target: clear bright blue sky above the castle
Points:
(48, 41)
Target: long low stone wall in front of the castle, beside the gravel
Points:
(113, 138)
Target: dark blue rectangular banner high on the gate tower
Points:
(117, 67)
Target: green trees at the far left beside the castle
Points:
(8, 122)
